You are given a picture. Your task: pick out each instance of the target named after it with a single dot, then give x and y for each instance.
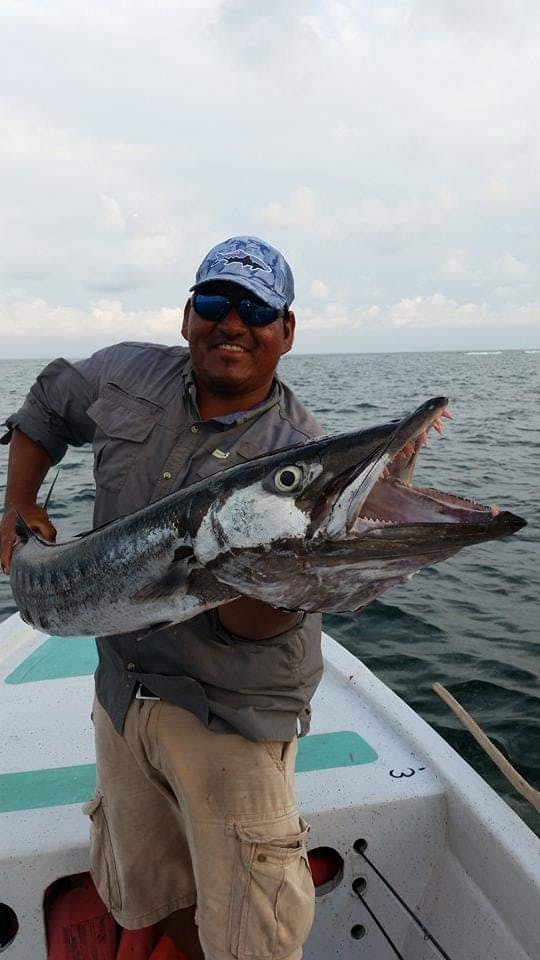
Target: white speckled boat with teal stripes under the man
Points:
(424, 859)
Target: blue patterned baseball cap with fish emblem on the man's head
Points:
(253, 264)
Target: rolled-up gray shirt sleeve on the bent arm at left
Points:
(54, 412)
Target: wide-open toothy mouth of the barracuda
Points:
(380, 496)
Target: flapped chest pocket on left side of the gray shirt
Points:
(124, 424)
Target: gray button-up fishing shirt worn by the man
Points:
(136, 403)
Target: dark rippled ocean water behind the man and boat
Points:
(472, 622)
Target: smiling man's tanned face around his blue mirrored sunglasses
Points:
(248, 368)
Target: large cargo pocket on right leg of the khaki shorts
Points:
(272, 903)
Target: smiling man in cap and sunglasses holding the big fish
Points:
(194, 821)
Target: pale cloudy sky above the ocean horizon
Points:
(391, 150)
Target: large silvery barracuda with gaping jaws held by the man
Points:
(325, 526)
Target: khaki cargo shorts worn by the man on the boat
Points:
(183, 815)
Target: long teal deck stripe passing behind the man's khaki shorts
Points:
(33, 789)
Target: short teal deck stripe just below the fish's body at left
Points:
(56, 659)
